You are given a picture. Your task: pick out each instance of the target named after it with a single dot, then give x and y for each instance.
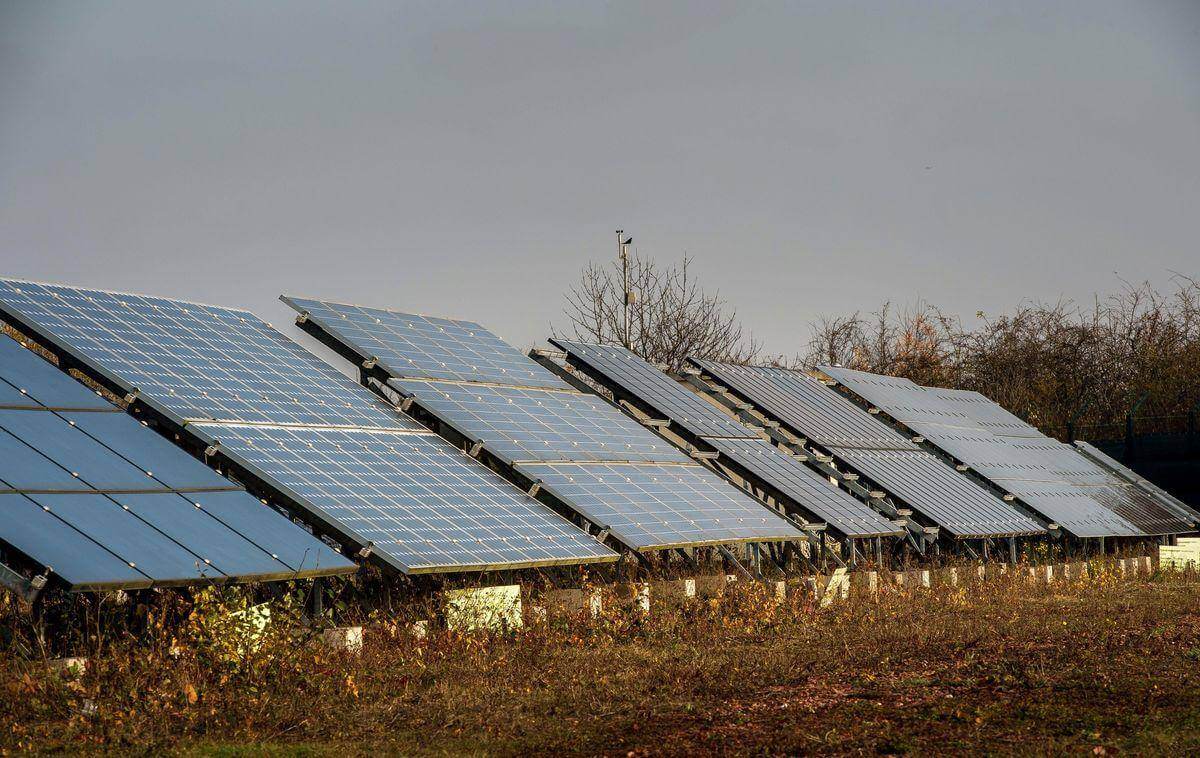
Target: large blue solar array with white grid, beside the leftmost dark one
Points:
(362, 471)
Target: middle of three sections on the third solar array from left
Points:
(536, 425)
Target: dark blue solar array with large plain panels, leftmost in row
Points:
(105, 503)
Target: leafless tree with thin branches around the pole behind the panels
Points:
(671, 318)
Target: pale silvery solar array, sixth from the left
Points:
(1015, 470)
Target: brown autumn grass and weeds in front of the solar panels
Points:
(1100, 667)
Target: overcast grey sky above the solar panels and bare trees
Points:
(470, 159)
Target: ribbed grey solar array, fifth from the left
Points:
(874, 450)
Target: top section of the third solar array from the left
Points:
(416, 346)
